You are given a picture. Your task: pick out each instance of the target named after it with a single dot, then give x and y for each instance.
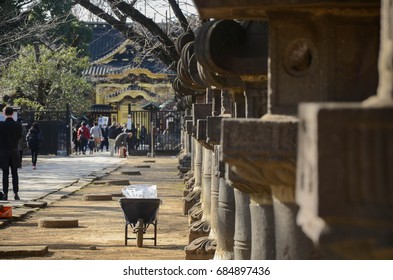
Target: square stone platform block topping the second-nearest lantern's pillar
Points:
(264, 151)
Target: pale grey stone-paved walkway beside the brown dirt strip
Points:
(56, 177)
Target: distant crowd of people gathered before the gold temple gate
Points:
(108, 138)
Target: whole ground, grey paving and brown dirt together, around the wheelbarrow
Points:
(65, 182)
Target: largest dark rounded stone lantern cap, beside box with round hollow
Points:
(228, 47)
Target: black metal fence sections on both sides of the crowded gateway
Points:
(158, 131)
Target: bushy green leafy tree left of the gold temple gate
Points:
(42, 79)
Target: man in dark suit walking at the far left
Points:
(10, 133)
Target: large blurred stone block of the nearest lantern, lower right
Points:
(345, 178)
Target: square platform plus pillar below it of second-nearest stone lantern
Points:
(273, 182)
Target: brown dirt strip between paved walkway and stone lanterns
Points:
(100, 234)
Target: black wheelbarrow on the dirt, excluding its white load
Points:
(140, 213)
